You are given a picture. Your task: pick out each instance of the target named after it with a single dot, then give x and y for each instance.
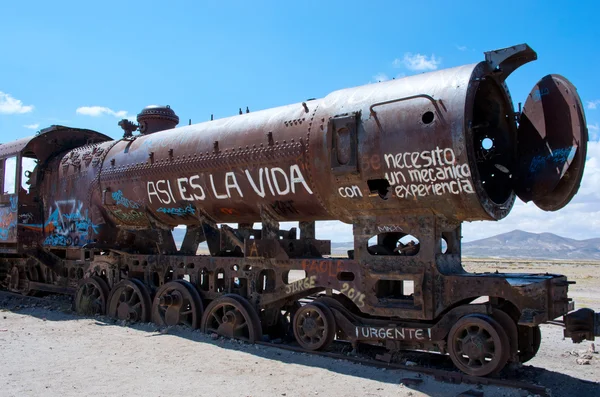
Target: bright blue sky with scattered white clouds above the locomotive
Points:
(110, 59)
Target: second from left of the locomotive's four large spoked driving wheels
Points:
(129, 300)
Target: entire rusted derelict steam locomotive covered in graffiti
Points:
(83, 214)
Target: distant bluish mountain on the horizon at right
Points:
(520, 244)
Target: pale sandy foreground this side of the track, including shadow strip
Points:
(68, 356)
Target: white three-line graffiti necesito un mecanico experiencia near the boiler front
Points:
(429, 172)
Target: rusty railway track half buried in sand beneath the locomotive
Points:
(366, 357)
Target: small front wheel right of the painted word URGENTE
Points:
(478, 345)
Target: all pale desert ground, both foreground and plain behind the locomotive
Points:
(46, 350)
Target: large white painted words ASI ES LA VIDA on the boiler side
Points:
(263, 182)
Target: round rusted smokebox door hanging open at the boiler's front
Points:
(552, 144)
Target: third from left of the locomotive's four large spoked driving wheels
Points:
(175, 304)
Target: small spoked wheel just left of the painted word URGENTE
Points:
(314, 326)
